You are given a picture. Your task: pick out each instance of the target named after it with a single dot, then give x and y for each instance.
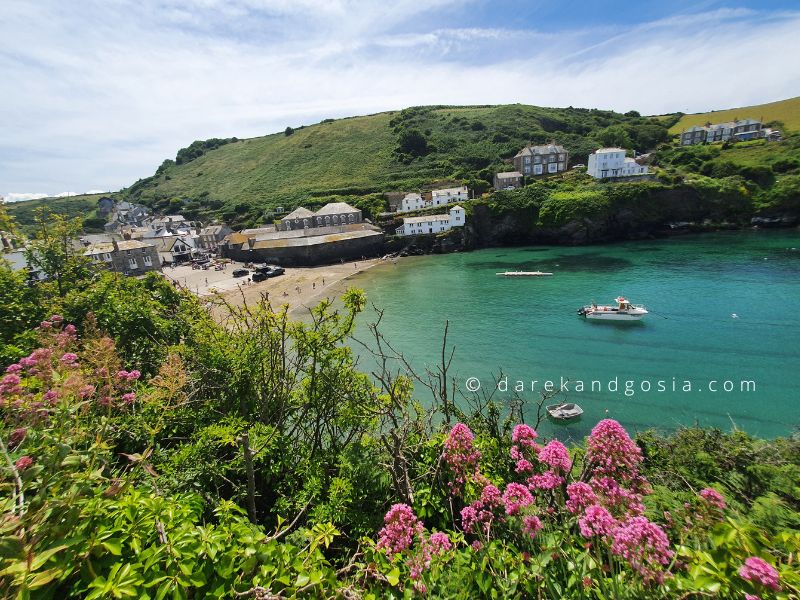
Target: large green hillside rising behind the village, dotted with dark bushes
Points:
(352, 158)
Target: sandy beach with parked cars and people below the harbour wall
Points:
(300, 288)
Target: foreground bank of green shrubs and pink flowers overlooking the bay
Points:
(150, 452)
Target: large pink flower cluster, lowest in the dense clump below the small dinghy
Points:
(644, 545)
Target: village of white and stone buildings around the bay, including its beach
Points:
(303, 253)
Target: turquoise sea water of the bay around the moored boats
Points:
(724, 309)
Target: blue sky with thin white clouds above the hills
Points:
(96, 94)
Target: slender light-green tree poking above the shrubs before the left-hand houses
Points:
(55, 251)
